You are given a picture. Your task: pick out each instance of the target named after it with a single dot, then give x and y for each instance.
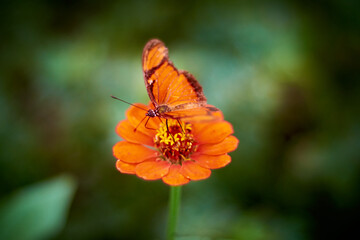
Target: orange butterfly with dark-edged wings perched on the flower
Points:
(174, 94)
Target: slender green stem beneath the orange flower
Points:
(174, 205)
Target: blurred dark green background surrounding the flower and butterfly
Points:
(285, 74)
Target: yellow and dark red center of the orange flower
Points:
(175, 142)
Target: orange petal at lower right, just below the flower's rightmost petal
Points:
(211, 161)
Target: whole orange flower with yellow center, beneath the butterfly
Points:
(151, 152)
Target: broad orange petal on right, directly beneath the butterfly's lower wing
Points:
(212, 132)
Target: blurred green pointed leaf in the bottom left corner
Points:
(38, 211)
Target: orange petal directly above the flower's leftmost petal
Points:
(126, 131)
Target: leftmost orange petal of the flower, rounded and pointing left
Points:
(132, 153)
